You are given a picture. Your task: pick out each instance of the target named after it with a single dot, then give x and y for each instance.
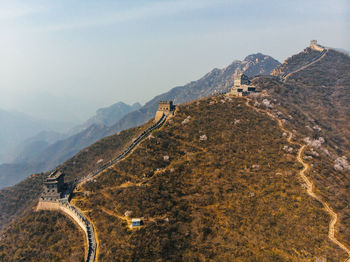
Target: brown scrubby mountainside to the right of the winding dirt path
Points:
(316, 103)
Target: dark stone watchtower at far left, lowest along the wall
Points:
(53, 187)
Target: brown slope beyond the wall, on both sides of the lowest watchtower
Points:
(14, 201)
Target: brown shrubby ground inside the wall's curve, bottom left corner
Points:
(42, 236)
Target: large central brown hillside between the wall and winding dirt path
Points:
(235, 196)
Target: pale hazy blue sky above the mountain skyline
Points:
(64, 59)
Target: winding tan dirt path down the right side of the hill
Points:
(307, 181)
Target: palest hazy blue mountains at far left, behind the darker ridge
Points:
(24, 138)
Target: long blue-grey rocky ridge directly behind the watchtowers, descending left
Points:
(216, 81)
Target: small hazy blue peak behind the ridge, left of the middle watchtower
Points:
(107, 116)
